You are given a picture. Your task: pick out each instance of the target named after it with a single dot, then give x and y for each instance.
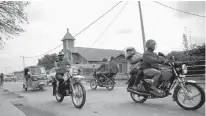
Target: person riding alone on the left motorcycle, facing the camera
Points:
(62, 64)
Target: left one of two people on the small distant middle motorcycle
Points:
(104, 69)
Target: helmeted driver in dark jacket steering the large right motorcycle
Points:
(151, 63)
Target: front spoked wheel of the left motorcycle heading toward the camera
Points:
(79, 98)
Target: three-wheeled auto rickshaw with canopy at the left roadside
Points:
(37, 78)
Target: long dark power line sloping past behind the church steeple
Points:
(81, 30)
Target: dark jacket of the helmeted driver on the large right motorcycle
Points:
(151, 60)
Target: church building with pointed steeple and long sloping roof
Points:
(90, 58)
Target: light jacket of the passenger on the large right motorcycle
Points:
(135, 61)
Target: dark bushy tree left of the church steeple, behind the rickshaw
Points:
(48, 61)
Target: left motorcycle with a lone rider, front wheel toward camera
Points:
(73, 87)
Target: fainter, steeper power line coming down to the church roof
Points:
(109, 24)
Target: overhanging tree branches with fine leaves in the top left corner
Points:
(12, 15)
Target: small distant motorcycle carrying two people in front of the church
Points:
(103, 81)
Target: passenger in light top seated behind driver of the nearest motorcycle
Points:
(135, 61)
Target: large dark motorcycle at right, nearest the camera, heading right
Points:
(172, 75)
